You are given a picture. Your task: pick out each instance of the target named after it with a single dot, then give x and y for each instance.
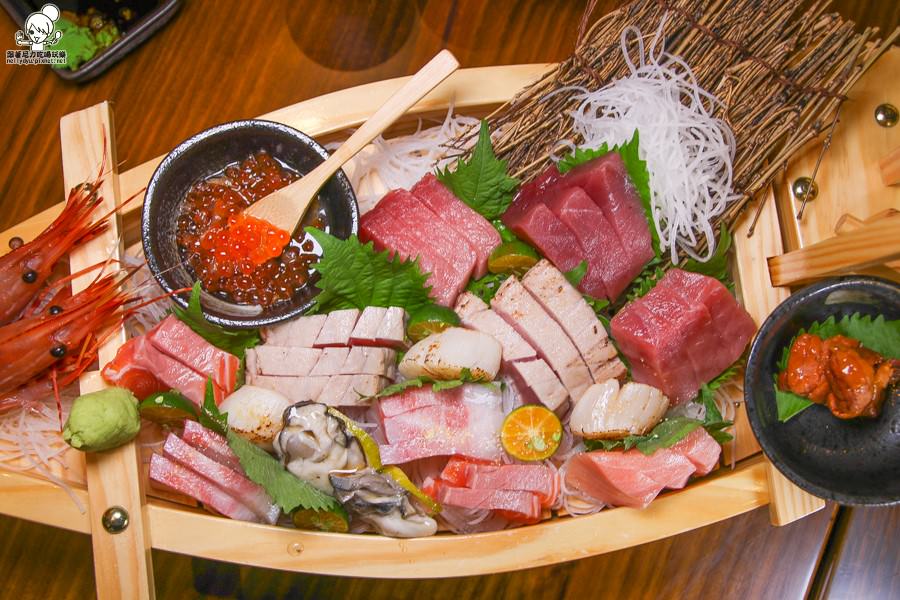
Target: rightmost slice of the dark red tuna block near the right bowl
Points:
(733, 326)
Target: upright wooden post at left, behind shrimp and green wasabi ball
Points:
(122, 565)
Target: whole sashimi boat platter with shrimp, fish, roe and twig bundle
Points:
(529, 332)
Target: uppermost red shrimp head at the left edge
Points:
(25, 269)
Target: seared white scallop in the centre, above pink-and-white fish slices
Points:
(447, 354)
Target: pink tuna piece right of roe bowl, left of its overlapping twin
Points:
(399, 222)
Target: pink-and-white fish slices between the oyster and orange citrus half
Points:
(466, 422)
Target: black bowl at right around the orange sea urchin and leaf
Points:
(850, 461)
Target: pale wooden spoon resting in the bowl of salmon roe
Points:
(285, 208)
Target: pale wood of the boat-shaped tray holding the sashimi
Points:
(123, 560)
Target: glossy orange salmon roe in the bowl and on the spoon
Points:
(237, 257)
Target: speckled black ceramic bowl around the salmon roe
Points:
(208, 153)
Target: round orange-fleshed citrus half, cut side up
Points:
(531, 432)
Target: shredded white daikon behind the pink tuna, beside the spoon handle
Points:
(400, 162)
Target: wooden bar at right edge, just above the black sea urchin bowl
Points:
(872, 244)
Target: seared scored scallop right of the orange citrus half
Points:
(606, 411)
